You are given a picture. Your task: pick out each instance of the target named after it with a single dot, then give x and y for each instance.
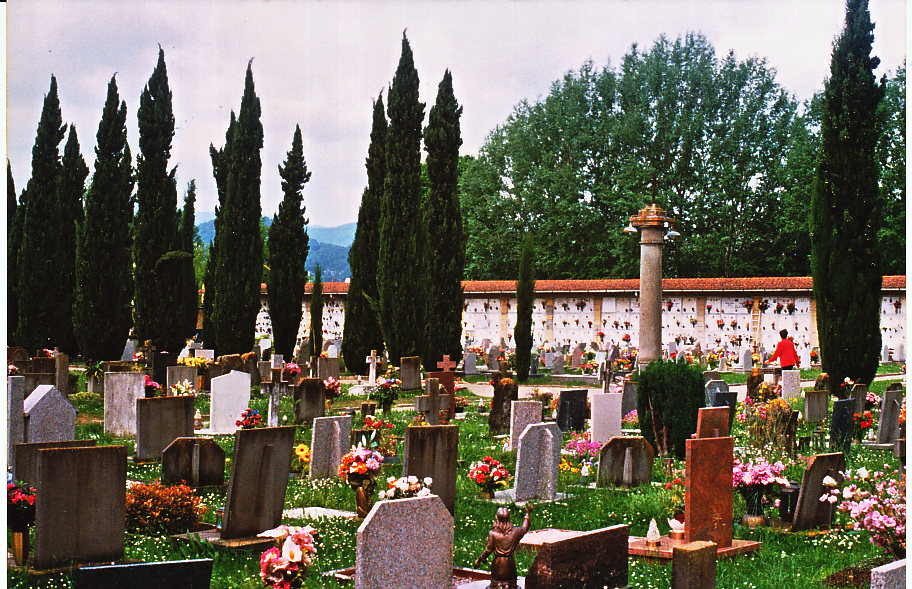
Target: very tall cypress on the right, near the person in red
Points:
(845, 208)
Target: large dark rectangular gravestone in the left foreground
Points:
(87, 485)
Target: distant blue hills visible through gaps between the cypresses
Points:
(328, 245)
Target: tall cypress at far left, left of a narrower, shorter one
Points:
(37, 248)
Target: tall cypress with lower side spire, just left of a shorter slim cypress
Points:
(239, 263)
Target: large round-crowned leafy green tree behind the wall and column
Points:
(709, 136)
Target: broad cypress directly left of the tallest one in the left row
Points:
(104, 268)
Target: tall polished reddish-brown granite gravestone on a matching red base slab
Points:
(708, 490)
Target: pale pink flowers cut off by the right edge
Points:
(874, 502)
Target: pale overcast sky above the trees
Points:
(321, 63)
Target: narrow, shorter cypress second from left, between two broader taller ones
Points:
(70, 190)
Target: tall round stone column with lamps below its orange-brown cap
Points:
(653, 226)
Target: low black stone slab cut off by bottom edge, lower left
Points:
(187, 574)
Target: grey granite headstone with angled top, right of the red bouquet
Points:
(537, 462)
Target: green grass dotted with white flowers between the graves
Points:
(786, 560)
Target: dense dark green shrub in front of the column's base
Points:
(669, 394)
